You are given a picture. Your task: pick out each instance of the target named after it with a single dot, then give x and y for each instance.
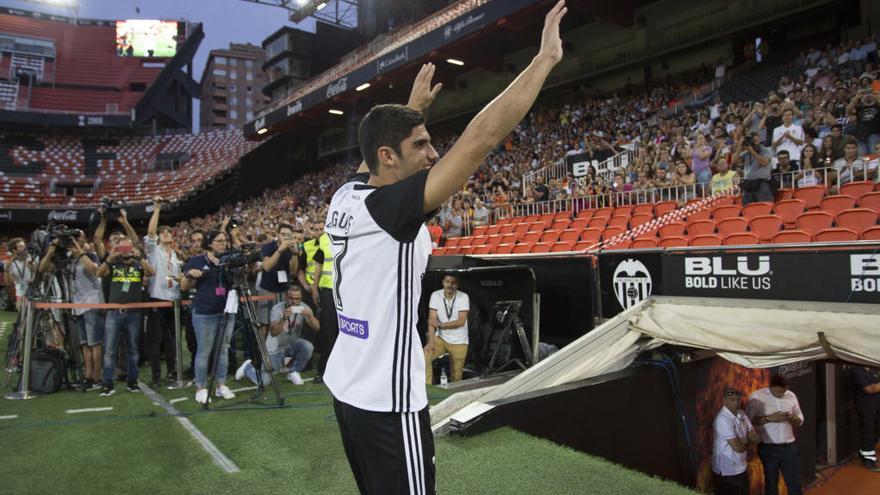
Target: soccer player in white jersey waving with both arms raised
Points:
(380, 246)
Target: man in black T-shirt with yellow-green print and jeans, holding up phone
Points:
(126, 268)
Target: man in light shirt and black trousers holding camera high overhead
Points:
(164, 286)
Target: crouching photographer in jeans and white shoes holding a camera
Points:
(285, 344)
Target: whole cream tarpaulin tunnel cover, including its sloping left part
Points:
(753, 333)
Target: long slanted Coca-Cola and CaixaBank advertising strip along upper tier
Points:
(455, 29)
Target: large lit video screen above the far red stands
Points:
(146, 38)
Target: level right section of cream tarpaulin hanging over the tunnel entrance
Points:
(761, 334)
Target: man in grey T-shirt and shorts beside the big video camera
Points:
(86, 290)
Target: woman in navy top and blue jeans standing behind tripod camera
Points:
(211, 284)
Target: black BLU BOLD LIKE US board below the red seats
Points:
(831, 276)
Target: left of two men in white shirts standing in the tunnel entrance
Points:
(733, 435)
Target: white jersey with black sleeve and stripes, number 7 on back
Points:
(380, 250)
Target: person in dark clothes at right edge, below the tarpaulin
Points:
(866, 384)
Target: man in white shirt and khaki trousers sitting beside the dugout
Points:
(447, 328)
